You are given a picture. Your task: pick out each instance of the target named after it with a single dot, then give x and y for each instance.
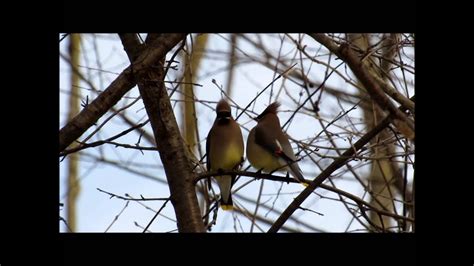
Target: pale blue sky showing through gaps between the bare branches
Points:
(96, 210)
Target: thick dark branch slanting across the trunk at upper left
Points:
(116, 90)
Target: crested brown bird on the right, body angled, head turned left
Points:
(268, 148)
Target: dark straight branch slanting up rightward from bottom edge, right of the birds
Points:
(328, 171)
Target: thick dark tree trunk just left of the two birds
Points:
(168, 138)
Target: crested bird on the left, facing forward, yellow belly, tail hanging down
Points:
(225, 150)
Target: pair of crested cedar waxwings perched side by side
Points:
(268, 148)
